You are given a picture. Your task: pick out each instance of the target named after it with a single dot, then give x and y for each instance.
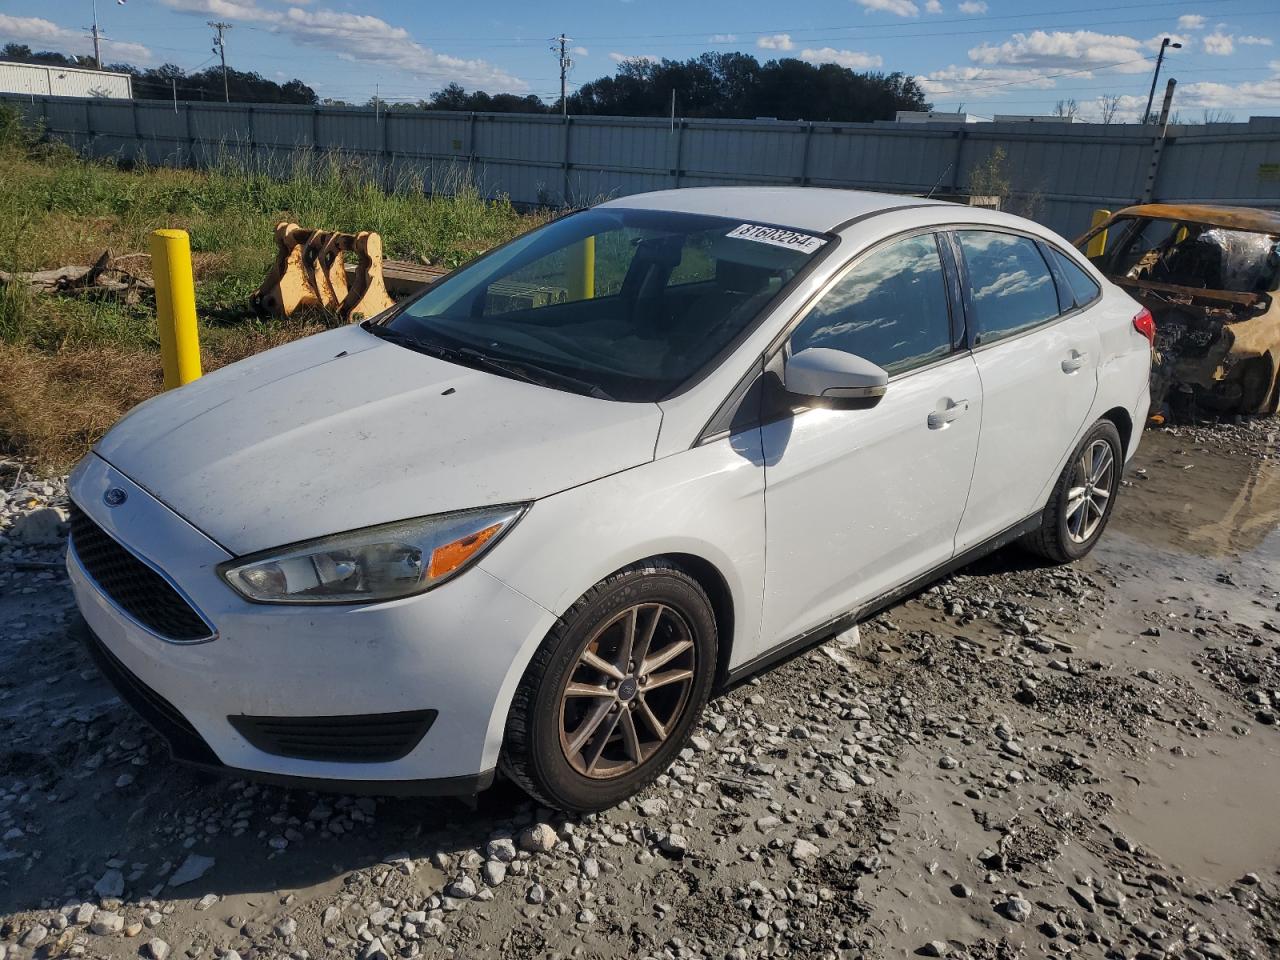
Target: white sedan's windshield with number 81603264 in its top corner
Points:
(620, 304)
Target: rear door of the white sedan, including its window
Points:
(1037, 358)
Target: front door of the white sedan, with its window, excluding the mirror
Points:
(862, 501)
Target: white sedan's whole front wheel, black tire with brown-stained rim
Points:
(545, 751)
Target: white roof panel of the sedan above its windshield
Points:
(820, 209)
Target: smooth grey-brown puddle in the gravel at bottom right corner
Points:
(1209, 816)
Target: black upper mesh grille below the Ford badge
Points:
(132, 586)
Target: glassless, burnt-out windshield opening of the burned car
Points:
(1190, 254)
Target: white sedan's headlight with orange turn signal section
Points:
(376, 564)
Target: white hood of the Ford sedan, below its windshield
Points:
(344, 431)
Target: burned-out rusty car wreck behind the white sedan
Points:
(1209, 276)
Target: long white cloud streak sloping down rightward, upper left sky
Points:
(360, 38)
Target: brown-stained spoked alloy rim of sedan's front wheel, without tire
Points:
(628, 691)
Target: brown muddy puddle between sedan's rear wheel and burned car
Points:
(1196, 502)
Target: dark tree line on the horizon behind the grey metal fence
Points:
(715, 85)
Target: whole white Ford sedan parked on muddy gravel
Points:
(532, 519)
